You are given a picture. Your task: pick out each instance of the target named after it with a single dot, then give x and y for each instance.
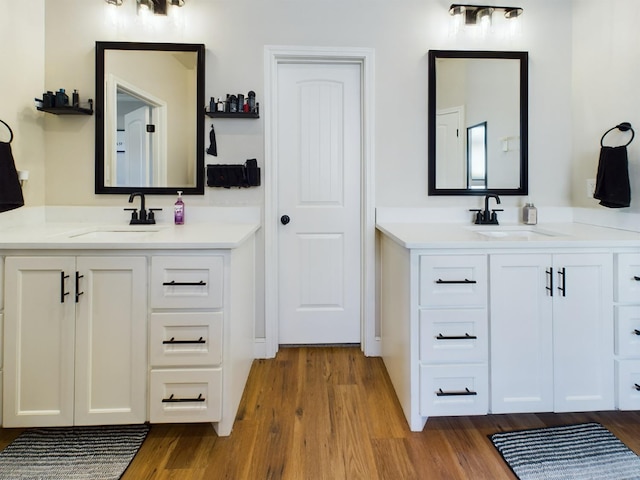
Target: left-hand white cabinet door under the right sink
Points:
(521, 333)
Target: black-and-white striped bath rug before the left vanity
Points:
(73, 453)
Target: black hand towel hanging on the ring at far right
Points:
(612, 183)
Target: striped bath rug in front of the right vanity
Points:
(571, 452)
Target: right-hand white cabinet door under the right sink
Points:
(583, 332)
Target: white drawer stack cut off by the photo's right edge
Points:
(627, 330)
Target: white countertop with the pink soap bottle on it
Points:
(78, 236)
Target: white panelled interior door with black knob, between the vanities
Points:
(319, 150)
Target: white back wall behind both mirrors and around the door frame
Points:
(235, 33)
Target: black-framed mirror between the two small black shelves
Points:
(149, 118)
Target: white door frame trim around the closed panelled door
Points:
(364, 57)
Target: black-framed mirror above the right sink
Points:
(471, 88)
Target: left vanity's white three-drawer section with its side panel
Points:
(201, 335)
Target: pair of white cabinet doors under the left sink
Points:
(75, 340)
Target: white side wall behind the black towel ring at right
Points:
(606, 75)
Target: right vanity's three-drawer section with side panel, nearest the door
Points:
(434, 331)
